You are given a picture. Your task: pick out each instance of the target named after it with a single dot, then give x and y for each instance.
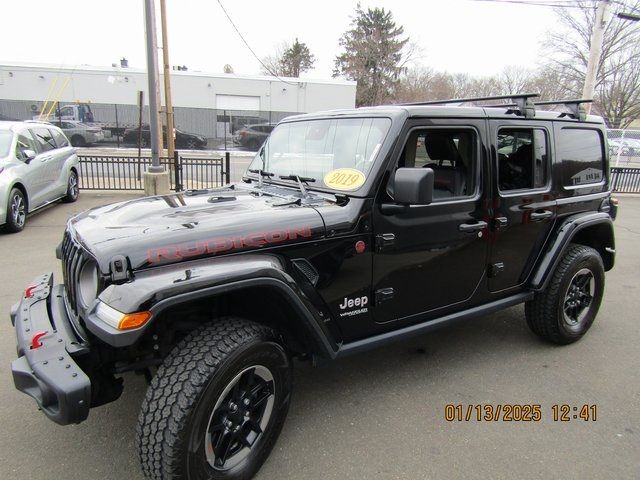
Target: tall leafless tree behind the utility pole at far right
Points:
(618, 77)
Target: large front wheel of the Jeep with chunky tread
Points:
(216, 406)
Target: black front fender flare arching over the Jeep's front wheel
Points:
(160, 288)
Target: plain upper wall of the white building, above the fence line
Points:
(111, 85)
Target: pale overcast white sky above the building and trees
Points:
(479, 38)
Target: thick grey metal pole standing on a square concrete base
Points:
(156, 178)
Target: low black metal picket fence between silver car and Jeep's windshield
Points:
(108, 172)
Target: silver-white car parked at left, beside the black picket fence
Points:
(37, 166)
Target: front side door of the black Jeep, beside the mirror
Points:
(431, 258)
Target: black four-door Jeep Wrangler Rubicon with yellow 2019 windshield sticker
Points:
(349, 230)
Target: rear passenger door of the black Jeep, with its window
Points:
(525, 203)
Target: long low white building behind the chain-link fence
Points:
(203, 102)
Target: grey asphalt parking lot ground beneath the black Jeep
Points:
(380, 414)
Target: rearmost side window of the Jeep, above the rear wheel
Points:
(581, 152)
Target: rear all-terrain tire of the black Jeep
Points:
(546, 315)
